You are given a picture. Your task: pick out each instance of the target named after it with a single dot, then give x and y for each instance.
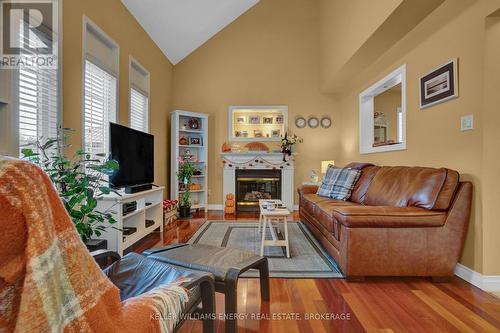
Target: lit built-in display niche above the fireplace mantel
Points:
(257, 123)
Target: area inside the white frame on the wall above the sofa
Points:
(388, 117)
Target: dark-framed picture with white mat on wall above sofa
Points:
(439, 85)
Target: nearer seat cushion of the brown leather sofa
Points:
(388, 217)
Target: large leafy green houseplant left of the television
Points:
(79, 180)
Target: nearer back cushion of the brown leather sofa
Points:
(405, 187)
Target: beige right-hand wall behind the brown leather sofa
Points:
(433, 134)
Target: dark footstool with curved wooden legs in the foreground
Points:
(225, 264)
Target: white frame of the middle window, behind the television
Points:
(87, 25)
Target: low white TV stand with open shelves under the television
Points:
(149, 207)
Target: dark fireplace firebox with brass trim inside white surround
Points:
(255, 184)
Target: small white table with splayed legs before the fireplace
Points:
(266, 218)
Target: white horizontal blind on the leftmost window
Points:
(37, 97)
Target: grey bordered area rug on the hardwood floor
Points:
(308, 259)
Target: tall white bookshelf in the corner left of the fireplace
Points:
(179, 129)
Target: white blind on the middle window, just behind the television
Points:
(99, 109)
